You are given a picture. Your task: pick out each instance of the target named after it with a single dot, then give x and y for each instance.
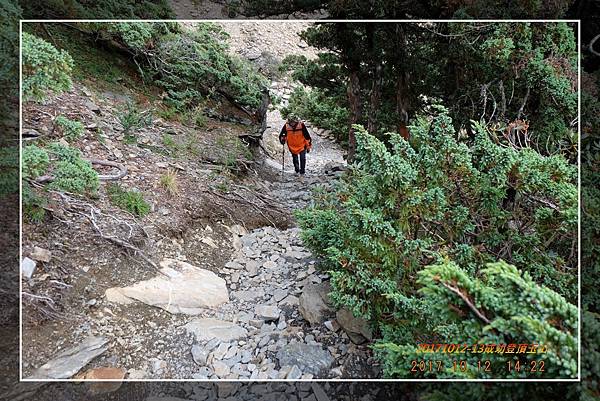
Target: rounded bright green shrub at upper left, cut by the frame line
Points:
(44, 67)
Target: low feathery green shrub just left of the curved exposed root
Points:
(71, 172)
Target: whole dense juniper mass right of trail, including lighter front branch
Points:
(417, 223)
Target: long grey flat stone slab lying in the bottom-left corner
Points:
(72, 360)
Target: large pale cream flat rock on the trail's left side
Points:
(182, 288)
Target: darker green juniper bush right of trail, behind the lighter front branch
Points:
(409, 205)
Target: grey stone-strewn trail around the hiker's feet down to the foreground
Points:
(264, 314)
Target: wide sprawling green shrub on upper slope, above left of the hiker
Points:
(191, 63)
